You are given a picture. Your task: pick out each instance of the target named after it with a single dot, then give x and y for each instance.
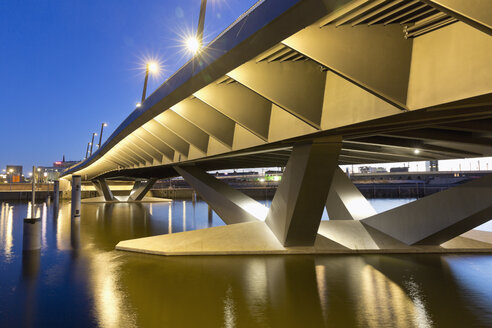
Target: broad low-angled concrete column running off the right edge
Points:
(440, 217)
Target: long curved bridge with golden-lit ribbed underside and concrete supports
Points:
(309, 85)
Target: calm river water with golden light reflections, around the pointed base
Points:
(78, 279)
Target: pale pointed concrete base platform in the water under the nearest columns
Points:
(334, 237)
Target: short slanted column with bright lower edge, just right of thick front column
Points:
(345, 201)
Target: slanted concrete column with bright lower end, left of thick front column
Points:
(230, 204)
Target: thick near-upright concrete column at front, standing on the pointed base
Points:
(297, 206)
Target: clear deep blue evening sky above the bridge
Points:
(68, 65)
